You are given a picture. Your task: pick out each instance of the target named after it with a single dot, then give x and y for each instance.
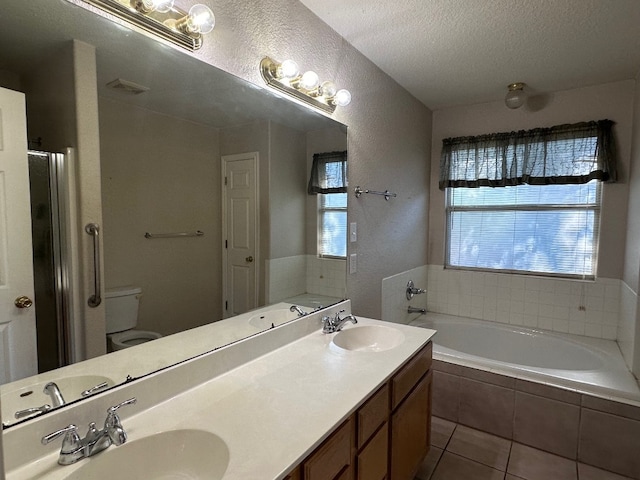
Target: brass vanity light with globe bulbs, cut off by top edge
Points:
(163, 19)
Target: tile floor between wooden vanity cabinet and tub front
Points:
(462, 453)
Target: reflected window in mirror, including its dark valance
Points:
(329, 181)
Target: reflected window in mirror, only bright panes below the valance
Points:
(332, 225)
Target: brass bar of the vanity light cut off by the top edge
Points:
(151, 23)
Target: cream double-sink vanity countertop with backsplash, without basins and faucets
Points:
(272, 398)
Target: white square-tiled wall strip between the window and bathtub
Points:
(524, 300)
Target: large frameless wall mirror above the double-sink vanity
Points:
(203, 189)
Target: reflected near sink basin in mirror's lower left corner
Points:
(33, 396)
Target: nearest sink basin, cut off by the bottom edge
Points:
(171, 455)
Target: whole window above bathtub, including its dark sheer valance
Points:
(527, 201)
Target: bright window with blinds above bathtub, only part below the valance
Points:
(549, 229)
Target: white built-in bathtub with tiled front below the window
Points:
(583, 364)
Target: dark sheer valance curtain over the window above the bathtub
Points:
(564, 154)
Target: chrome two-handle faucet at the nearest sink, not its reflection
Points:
(75, 448)
